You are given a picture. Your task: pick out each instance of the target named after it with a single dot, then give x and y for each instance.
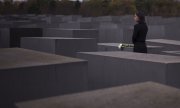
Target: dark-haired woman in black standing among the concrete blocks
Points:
(139, 33)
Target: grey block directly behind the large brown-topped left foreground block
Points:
(60, 45)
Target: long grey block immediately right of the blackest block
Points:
(75, 33)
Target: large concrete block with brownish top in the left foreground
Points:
(27, 74)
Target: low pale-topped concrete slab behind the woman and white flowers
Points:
(114, 47)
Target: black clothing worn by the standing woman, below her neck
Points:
(139, 37)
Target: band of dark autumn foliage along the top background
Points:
(92, 7)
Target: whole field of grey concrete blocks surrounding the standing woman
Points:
(28, 75)
